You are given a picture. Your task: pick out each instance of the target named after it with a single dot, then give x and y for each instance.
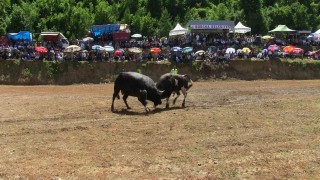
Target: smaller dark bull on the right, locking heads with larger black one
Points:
(173, 84)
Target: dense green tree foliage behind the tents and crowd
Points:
(156, 17)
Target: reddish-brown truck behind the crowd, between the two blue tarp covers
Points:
(56, 37)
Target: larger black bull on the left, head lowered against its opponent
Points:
(136, 85)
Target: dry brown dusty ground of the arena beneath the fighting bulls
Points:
(229, 130)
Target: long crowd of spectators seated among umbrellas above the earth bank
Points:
(214, 46)
